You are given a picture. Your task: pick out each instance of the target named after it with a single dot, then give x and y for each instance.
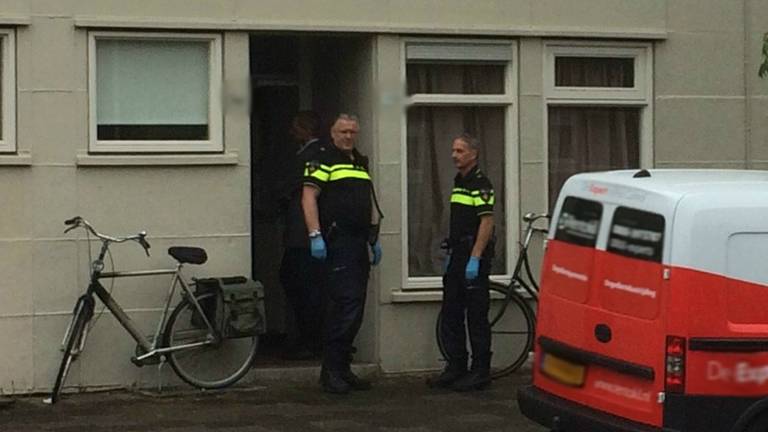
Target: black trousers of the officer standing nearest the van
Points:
(466, 300)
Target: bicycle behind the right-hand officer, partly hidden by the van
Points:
(512, 334)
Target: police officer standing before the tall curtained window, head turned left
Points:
(465, 284)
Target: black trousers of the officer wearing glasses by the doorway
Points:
(347, 267)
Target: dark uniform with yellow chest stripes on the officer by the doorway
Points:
(344, 205)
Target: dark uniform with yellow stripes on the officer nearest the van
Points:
(471, 198)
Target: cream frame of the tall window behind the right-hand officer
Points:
(462, 51)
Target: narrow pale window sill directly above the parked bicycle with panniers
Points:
(230, 158)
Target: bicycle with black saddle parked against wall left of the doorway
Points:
(192, 343)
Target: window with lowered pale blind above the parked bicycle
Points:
(155, 92)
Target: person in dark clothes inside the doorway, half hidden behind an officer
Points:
(301, 276)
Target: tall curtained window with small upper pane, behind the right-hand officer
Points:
(453, 88)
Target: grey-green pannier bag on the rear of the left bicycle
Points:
(243, 307)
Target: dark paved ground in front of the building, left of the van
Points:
(396, 404)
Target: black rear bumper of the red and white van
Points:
(547, 409)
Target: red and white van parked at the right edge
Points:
(653, 311)
